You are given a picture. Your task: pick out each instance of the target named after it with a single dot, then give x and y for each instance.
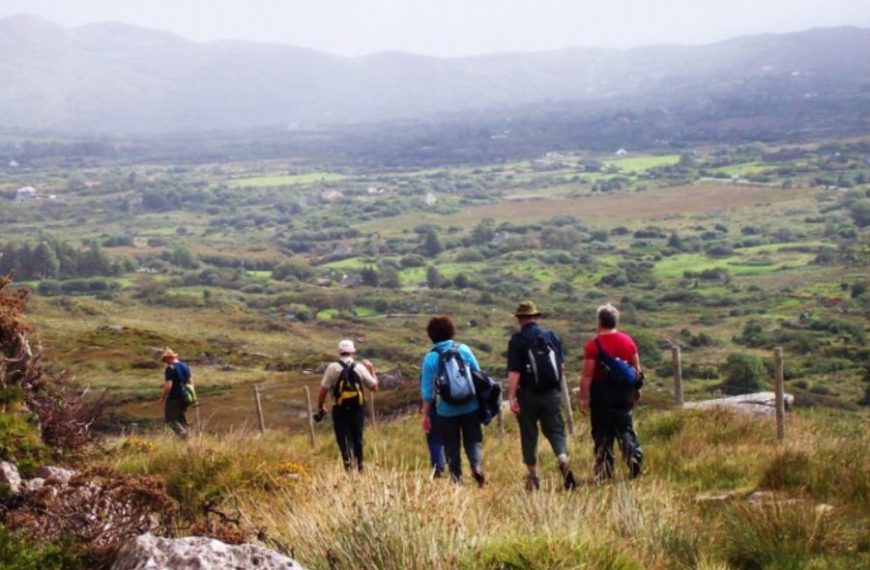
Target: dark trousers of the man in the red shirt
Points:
(608, 426)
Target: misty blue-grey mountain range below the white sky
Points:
(119, 78)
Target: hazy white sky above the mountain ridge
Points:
(456, 27)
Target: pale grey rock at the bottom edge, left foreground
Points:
(148, 552)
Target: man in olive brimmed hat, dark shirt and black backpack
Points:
(535, 369)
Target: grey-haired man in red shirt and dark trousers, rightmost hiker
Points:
(610, 405)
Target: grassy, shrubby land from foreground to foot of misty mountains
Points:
(254, 269)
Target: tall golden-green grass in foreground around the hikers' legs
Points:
(393, 516)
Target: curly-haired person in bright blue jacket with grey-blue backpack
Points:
(456, 420)
